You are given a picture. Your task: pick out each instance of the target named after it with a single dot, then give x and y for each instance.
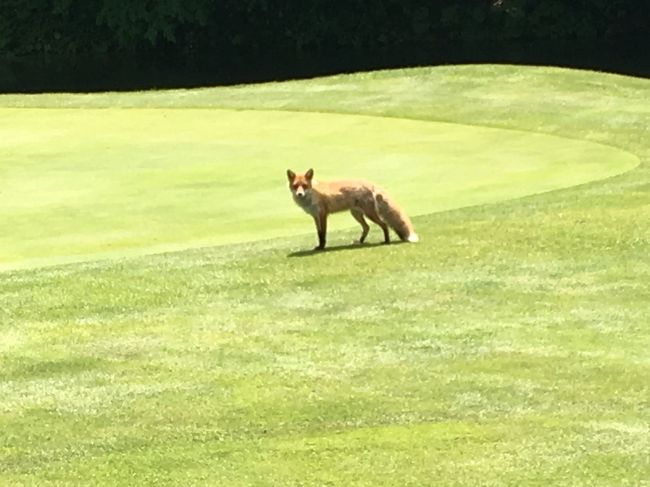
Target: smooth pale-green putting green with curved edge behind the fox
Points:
(82, 184)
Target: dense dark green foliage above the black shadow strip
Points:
(229, 29)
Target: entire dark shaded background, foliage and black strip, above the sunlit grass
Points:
(263, 38)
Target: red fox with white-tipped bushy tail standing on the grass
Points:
(362, 198)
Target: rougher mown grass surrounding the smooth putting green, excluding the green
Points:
(509, 347)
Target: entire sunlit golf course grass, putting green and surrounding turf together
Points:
(509, 347)
